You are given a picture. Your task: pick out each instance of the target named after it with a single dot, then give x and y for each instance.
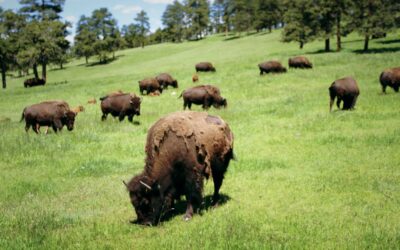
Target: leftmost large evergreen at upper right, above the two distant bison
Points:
(301, 22)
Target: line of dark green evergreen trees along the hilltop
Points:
(34, 36)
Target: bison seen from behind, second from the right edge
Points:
(345, 89)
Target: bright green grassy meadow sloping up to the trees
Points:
(304, 177)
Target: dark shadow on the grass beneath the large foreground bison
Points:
(180, 208)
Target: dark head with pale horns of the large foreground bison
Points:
(146, 199)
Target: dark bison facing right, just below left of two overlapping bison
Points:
(120, 105)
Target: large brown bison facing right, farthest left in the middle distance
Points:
(53, 114)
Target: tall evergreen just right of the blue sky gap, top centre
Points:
(173, 19)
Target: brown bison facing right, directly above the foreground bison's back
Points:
(206, 95)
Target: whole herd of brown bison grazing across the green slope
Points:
(182, 148)
